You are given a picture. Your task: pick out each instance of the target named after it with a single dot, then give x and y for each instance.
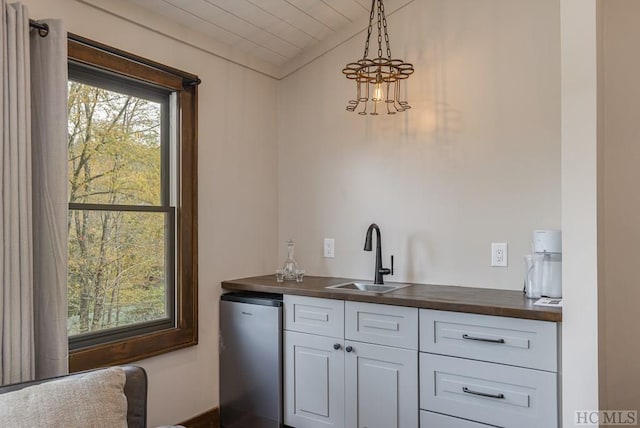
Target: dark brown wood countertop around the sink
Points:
(487, 301)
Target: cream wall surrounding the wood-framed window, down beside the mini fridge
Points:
(237, 192)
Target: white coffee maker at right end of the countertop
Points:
(548, 243)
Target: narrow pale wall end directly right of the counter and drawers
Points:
(579, 206)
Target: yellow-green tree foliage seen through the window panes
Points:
(117, 272)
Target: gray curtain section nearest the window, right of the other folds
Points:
(50, 201)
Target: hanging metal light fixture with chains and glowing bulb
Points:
(378, 80)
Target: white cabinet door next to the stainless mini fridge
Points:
(314, 381)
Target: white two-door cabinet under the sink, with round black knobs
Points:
(333, 382)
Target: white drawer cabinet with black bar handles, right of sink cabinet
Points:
(489, 370)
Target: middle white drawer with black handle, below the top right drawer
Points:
(510, 397)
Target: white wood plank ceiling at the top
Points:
(275, 31)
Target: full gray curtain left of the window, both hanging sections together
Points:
(33, 159)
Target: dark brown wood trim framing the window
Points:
(185, 333)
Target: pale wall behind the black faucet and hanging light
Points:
(476, 160)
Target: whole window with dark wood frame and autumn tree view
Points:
(132, 279)
